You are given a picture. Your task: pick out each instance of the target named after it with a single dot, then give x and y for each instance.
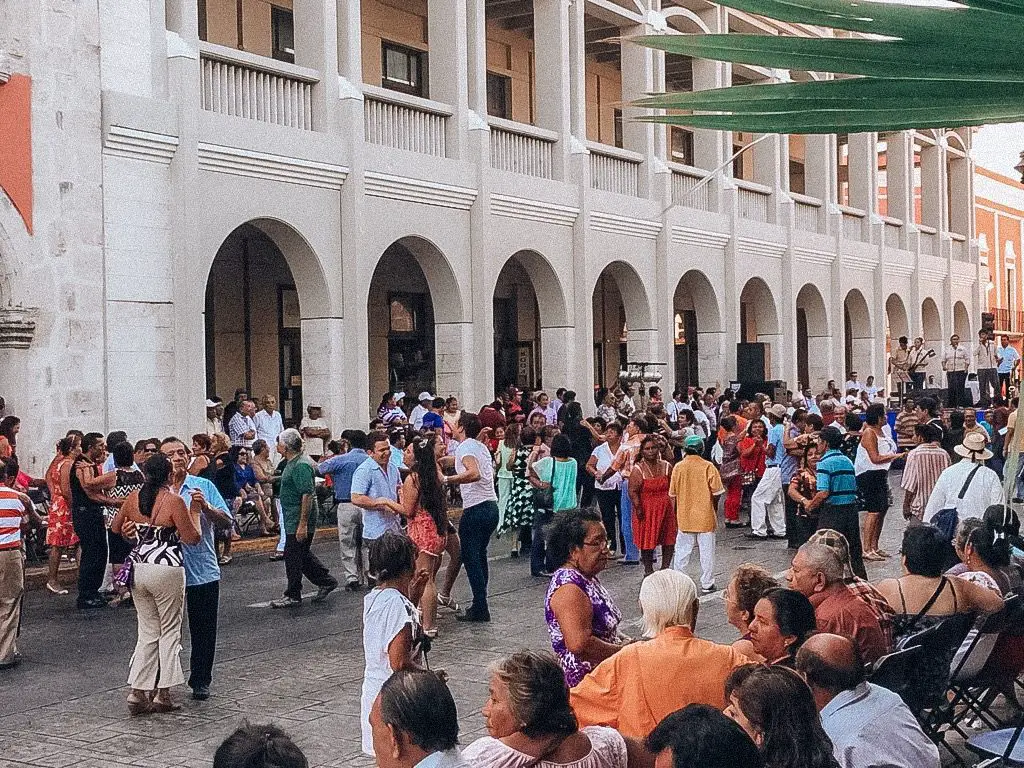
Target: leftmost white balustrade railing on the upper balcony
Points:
(244, 86)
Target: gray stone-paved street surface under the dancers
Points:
(302, 669)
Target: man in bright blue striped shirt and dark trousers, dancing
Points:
(836, 500)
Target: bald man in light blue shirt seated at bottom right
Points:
(869, 726)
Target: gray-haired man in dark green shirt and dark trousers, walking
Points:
(298, 505)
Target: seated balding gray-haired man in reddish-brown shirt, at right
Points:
(818, 574)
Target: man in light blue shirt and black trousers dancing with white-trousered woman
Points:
(202, 570)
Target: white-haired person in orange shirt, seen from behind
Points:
(637, 688)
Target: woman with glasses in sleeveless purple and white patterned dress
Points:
(582, 619)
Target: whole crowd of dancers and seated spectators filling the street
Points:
(644, 484)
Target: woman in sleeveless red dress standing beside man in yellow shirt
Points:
(654, 514)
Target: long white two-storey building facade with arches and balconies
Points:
(333, 199)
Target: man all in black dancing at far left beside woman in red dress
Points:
(88, 519)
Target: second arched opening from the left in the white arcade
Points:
(407, 326)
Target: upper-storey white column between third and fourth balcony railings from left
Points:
(558, 92)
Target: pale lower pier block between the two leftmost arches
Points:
(324, 363)
